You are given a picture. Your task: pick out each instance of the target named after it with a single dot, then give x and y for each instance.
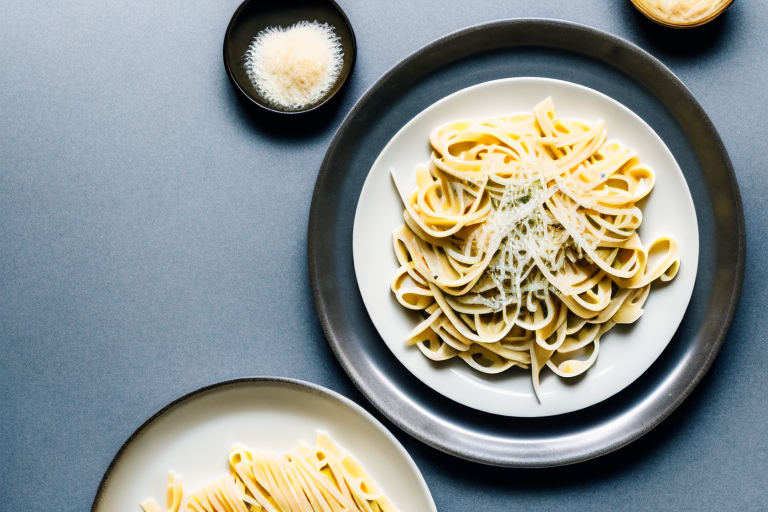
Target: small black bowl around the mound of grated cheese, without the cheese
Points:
(253, 16)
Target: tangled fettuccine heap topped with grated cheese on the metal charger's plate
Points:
(520, 244)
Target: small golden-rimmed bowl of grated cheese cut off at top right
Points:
(681, 13)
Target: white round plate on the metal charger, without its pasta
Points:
(625, 352)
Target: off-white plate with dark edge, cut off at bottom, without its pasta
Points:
(193, 436)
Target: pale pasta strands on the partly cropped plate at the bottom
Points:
(320, 478)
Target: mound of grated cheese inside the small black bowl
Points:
(296, 66)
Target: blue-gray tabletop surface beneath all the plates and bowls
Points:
(153, 240)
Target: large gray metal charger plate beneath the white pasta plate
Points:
(553, 49)
